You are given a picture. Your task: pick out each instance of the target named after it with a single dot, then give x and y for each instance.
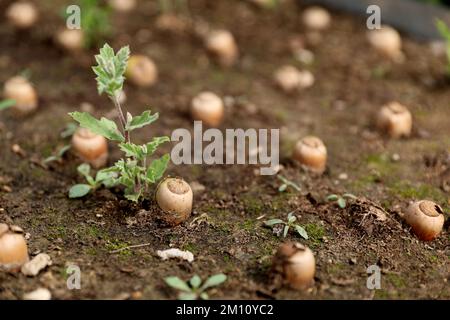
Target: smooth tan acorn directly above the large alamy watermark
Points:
(207, 107)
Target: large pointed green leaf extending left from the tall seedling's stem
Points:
(103, 127)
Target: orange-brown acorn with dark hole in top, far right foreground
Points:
(426, 219)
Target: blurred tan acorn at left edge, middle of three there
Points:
(23, 93)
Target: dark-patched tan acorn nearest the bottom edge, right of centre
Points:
(296, 263)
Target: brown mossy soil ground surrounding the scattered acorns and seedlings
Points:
(226, 232)
